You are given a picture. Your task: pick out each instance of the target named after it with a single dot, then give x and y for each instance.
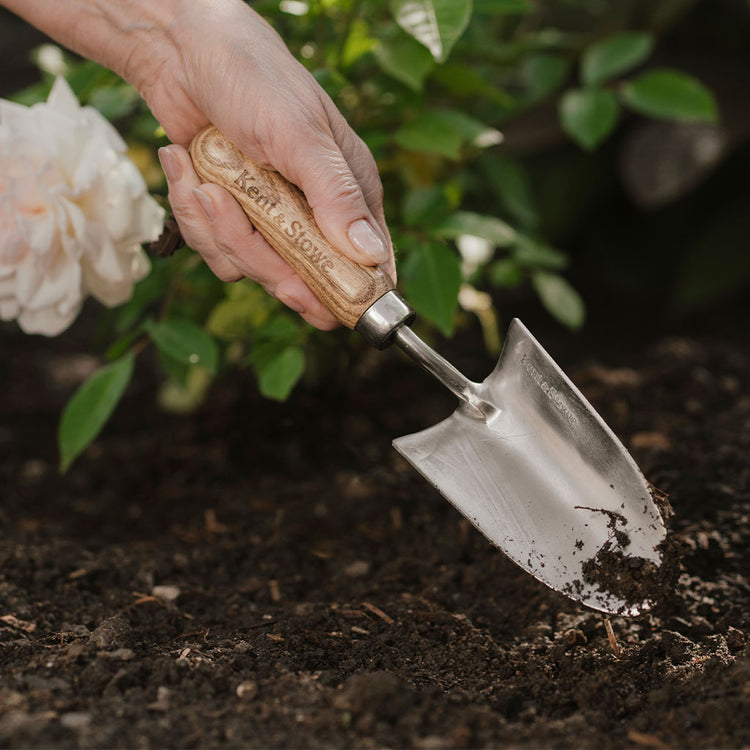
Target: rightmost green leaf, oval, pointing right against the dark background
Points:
(671, 95)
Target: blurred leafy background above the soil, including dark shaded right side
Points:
(587, 158)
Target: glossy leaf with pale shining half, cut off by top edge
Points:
(437, 24)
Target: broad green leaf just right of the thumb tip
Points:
(432, 277)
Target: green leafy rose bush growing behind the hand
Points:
(429, 85)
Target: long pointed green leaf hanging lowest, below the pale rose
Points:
(90, 408)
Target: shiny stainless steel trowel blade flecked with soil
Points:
(544, 478)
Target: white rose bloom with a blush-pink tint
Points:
(74, 211)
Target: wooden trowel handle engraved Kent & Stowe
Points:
(279, 211)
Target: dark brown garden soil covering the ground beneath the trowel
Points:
(262, 575)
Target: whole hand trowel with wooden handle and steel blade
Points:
(525, 458)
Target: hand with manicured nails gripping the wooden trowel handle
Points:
(235, 72)
